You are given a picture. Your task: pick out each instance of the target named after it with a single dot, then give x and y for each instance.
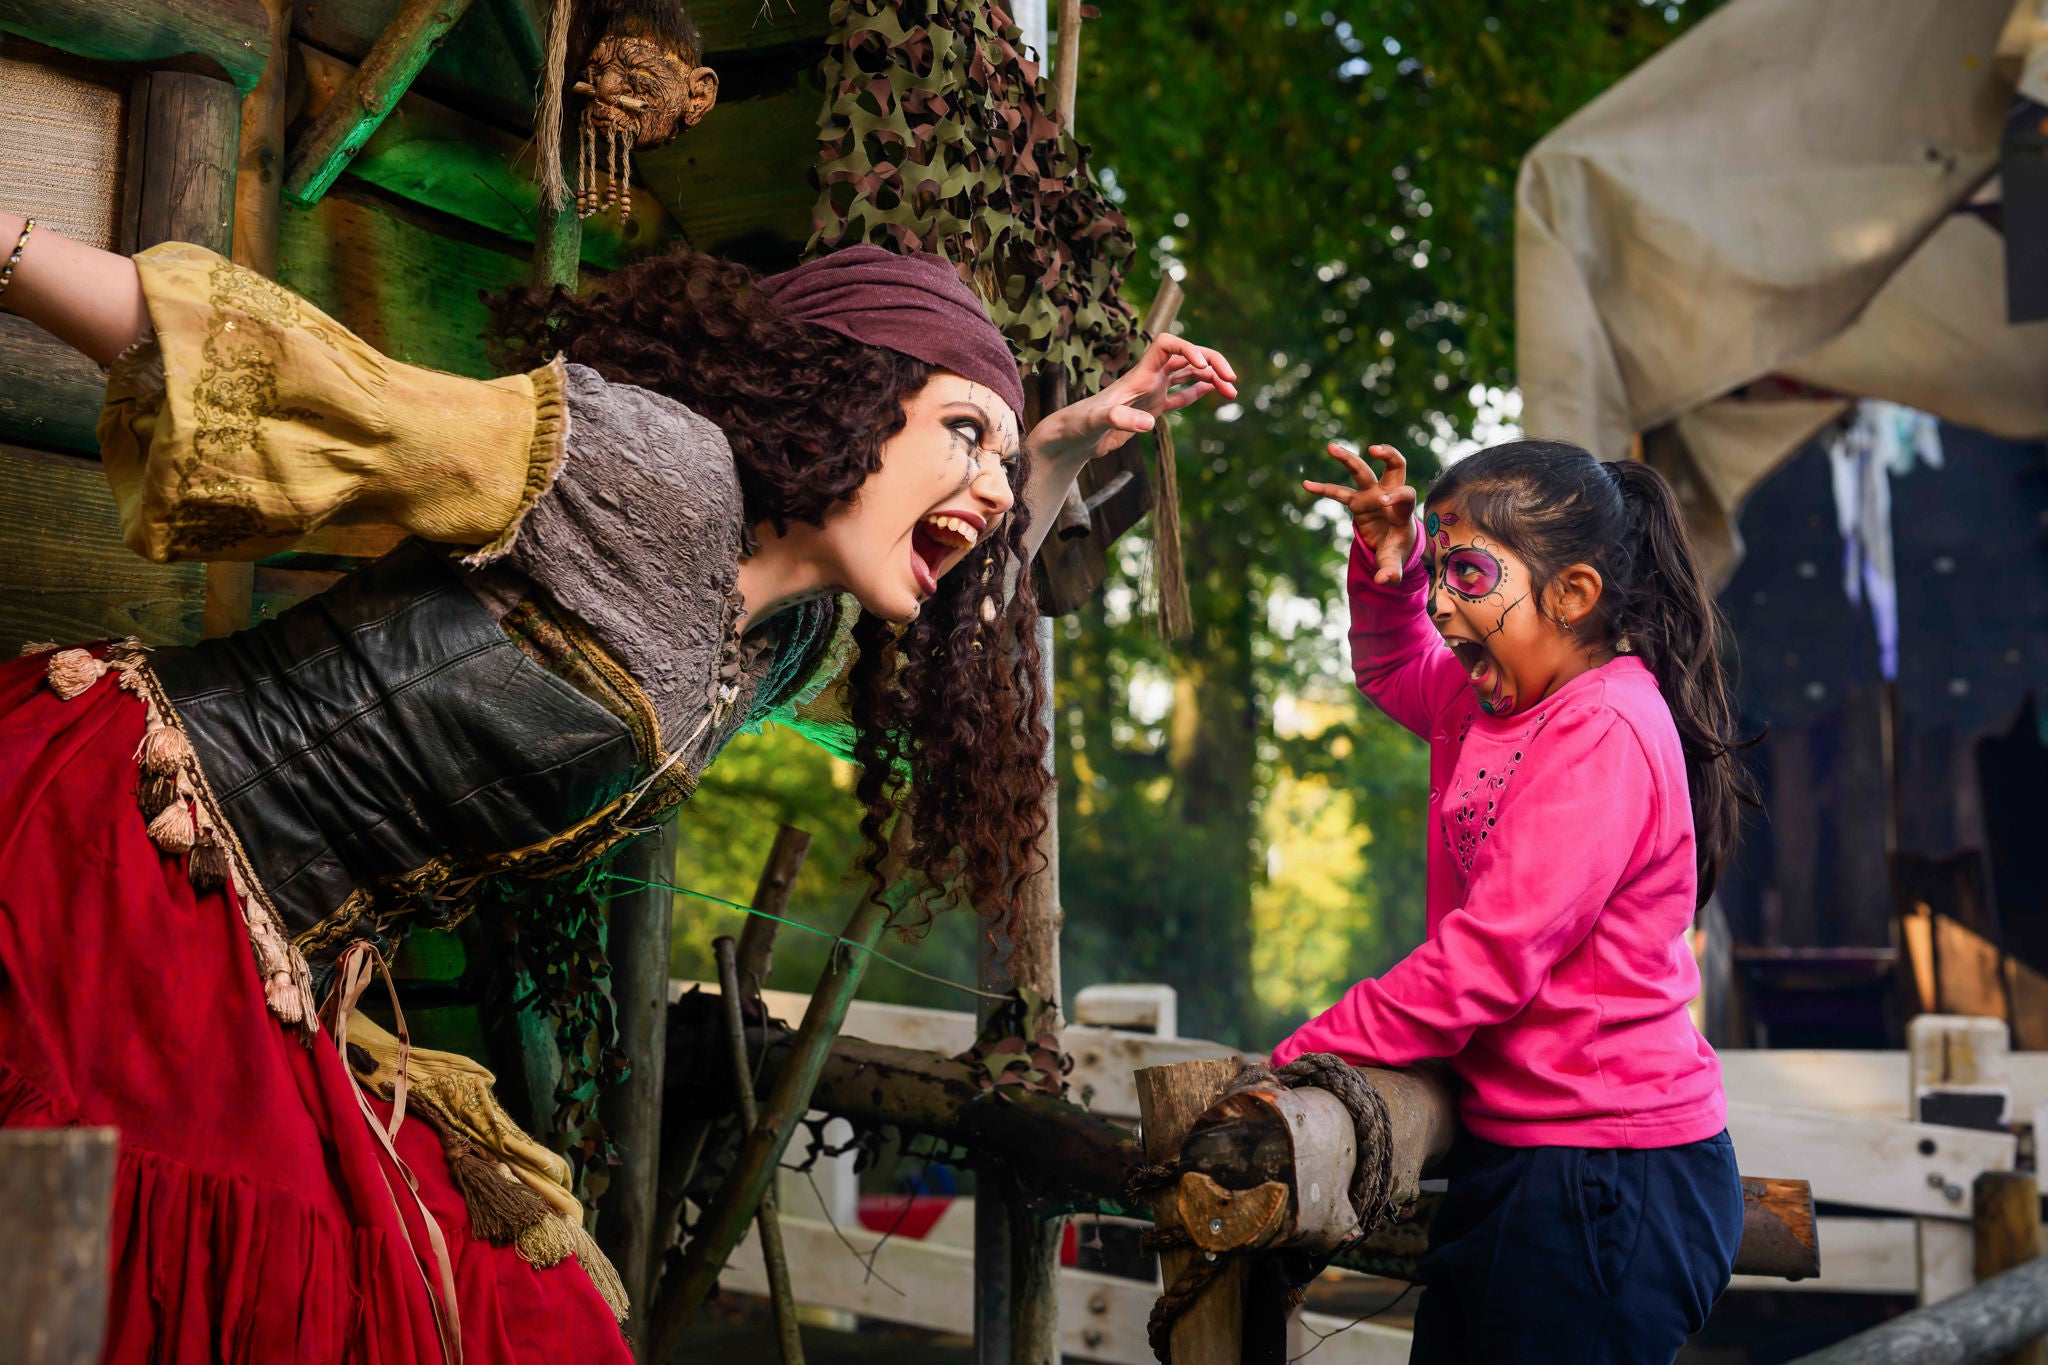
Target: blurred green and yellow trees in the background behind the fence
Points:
(1334, 185)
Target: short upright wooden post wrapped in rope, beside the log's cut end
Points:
(1170, 1102)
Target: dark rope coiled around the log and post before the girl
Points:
(1371, 1178)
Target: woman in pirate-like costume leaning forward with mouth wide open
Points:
(699, 500)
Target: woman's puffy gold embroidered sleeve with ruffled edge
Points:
(253, 419)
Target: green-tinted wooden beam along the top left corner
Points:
(237, 34)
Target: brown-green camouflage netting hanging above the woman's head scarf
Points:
(939, 136)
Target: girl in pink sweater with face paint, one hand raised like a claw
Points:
(1547, 629)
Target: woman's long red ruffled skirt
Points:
(253, 1217)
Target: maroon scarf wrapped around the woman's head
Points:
(914, 306)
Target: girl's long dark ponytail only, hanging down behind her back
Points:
(1670, 619)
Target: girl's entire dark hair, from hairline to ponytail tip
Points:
(1558, 507)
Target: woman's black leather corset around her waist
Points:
(388, 725)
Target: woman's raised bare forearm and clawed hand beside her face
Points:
(1168, 378)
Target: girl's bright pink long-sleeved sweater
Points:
(1562, 885)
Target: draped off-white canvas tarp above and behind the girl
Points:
(1779, 195)
